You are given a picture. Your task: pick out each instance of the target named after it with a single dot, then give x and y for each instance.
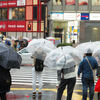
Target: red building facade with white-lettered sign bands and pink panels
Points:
(23, 18)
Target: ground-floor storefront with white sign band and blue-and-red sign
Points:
(78, 27)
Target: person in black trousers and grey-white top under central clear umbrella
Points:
(66, 76)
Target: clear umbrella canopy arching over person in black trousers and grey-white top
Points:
(54, 55)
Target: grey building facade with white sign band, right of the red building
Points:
(75, 20)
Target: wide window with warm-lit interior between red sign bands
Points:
(17, 13)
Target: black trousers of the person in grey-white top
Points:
(70, 83)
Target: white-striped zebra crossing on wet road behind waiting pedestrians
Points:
(23, 76)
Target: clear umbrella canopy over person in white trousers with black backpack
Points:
(40, 48)
